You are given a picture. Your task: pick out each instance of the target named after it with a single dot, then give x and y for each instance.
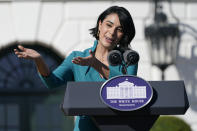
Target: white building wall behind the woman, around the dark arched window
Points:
(63, 25)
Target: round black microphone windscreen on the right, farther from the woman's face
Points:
(131, 57)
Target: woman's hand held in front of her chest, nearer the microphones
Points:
(85, 61)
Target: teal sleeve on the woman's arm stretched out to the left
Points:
(60, 75)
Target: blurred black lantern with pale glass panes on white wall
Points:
(163, 39)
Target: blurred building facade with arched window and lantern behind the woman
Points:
(166, 39)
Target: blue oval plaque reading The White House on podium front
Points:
(126, 93)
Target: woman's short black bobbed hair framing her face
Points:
(126, 22)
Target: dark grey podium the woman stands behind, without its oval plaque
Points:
(83, 98)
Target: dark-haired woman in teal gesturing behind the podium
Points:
(114, 28)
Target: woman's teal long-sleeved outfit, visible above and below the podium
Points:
(69, 71)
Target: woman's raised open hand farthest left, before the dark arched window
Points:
(27, 53)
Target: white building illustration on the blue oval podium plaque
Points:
(126, 90)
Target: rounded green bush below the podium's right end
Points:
(170, 123)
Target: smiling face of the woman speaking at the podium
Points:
(110, 31)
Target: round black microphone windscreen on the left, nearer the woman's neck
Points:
(114, 57)
